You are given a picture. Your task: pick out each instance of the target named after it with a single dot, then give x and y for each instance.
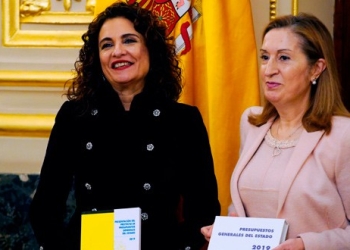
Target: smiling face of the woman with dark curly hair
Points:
(123, 54)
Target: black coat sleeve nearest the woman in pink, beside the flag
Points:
(199, 189)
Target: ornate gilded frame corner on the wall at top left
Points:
(15, 16)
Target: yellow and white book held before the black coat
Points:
(118, 229)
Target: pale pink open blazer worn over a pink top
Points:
(314, 195)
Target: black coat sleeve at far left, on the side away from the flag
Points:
(48, 207)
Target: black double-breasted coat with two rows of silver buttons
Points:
(155, 156)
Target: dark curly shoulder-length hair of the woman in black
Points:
(165, 74)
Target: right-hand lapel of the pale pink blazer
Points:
(306, 144)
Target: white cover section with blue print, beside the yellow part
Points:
(127, 229)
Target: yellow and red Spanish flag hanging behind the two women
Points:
(219, 59)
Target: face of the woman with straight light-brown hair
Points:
(285, 71)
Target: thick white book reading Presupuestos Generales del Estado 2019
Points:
(247, 233)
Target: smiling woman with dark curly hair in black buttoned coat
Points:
(122, 140)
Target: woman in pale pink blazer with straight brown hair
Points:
(295, 151)
